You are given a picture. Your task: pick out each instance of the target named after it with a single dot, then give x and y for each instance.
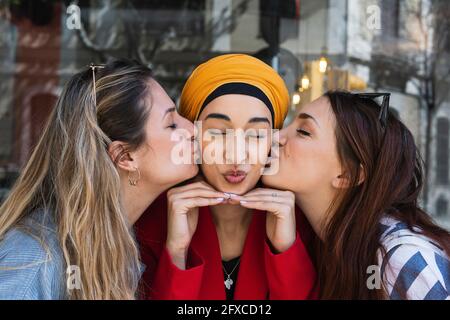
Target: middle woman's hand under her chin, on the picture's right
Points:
(280, 208)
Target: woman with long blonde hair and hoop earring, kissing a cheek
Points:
(66, 229)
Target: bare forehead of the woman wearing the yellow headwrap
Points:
(238, 107)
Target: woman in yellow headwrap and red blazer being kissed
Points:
(221, 238)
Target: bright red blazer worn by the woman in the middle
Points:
(262, 274)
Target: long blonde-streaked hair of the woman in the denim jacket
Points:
(71, 174)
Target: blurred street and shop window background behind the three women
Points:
(400, 46)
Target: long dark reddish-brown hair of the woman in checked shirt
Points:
(391, 166)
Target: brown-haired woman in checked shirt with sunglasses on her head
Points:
(356, 174)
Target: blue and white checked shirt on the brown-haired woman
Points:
(413, 264)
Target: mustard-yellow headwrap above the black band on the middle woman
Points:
(234, 68)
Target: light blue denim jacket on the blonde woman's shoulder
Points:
(31, 261)
